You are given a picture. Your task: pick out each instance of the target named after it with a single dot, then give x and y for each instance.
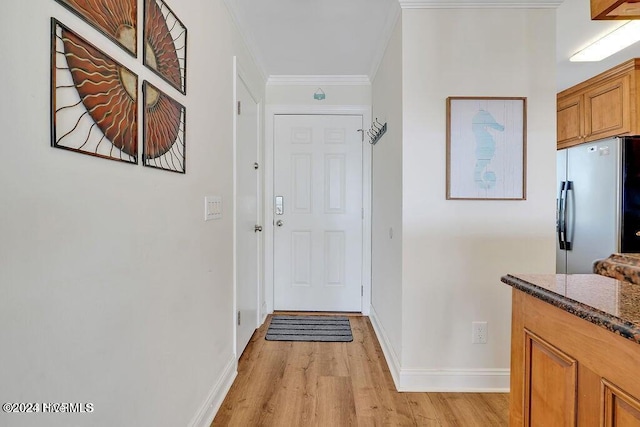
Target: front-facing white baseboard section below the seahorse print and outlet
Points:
(455, 380)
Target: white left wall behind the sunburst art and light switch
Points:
(114, 289)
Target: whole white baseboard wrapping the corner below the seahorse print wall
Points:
(438, 380)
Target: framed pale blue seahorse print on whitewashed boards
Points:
(486, 148)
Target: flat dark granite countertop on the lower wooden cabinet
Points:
(604, 301)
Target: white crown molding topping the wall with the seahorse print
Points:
(479, 4)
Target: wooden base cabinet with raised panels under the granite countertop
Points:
(566, 371)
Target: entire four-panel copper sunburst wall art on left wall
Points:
(95, 99)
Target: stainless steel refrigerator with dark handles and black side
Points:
(598, 204)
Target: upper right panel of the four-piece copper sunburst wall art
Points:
(165, 44)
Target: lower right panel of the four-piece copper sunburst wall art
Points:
(164, 130)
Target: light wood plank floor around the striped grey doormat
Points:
(341, 384)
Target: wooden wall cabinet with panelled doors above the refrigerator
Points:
(603, 106)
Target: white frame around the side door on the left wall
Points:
(240, 75)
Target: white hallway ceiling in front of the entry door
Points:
(315, 37)
